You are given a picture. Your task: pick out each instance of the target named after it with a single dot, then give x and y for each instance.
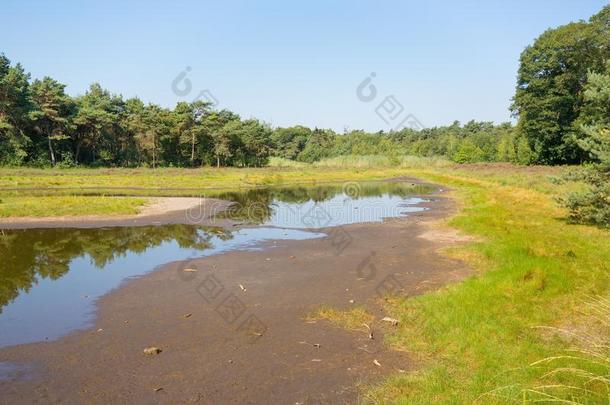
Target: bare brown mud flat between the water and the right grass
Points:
(234, 331)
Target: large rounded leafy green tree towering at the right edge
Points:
(552, 74)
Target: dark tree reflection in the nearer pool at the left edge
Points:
(35, 254)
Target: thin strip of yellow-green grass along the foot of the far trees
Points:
(174, 181)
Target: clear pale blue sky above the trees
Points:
(292, 63)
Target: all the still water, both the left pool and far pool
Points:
(50, 278)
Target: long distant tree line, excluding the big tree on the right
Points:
(41, 125)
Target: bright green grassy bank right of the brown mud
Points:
(534, 270)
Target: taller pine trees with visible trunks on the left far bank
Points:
(41, 125)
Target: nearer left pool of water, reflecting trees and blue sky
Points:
(56, 275)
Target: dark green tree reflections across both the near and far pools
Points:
(28, 256)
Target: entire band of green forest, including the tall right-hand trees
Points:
(561, 106)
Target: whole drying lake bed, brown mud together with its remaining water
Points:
(223, 300)
